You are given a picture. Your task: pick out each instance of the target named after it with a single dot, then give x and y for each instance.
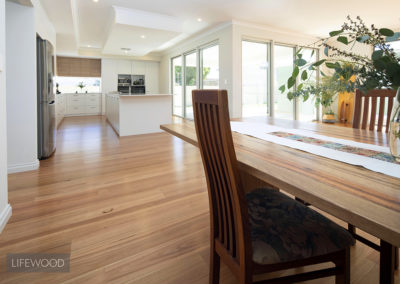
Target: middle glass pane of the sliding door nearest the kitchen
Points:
(190, 82)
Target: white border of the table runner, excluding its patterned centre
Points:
(267, 132)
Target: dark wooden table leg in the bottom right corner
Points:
(387, 263)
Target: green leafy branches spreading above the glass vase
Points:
(381, 70)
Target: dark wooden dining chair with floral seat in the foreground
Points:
(264, 230)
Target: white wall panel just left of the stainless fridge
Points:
(21, 88)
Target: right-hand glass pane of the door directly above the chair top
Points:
(210, 74)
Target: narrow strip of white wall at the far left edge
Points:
(5, 209)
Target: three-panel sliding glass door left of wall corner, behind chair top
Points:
(187, 66)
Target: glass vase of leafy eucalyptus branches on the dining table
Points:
(380, 70)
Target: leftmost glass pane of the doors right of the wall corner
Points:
(254, 78)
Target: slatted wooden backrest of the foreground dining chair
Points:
(228, 208)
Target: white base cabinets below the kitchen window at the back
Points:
(83, 104)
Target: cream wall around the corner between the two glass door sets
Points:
(230, 38)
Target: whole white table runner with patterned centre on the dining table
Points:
(372, 157)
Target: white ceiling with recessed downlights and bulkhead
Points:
(109, 25)
